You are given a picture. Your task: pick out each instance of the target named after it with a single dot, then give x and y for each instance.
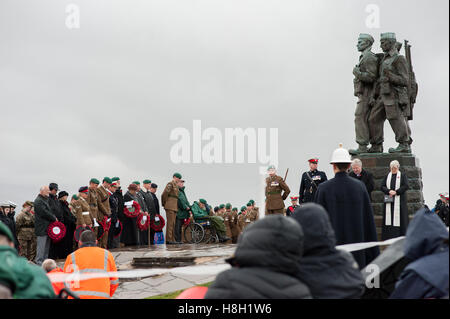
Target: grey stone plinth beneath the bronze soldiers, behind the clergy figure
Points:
(378, 165)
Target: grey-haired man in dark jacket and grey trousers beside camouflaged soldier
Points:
(43, 217)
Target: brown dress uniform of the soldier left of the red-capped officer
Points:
(276, 192)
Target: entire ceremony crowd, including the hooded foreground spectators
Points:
(292, 250)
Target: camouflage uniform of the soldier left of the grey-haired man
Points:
(25, 235)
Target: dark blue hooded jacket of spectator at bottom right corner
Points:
(427, 275)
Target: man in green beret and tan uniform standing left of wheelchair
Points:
(169, 200)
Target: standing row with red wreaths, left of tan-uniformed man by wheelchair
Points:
(99, 207)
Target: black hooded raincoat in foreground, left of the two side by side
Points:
(265, 263)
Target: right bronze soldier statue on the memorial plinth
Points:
(391, 98)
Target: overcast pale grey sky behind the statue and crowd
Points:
(103, 99)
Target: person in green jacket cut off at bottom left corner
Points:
(18, 278)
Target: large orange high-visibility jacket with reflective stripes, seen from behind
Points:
(92, 260)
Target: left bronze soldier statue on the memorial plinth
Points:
(366, 73)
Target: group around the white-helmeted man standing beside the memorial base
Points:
(346, 200)
